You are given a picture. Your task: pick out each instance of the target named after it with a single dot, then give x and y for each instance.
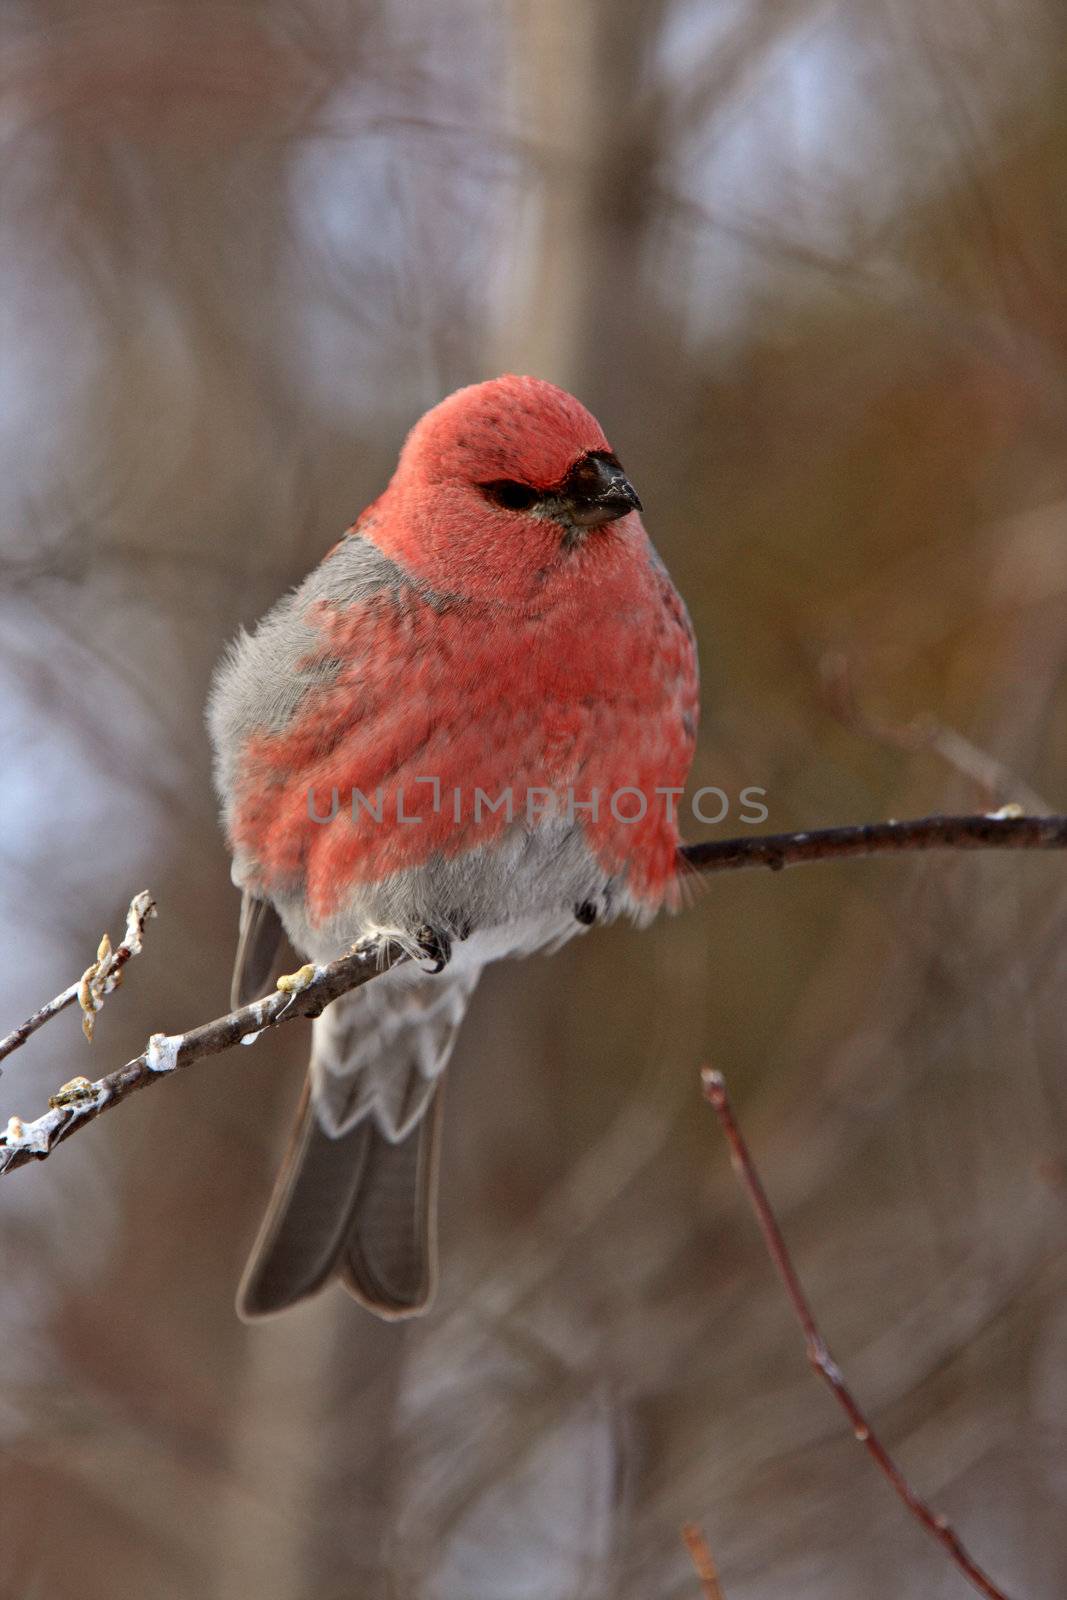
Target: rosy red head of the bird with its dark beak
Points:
(498, 489)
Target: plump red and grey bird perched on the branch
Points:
(468, 732)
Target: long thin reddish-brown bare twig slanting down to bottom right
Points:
(818, 1354)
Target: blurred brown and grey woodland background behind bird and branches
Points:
(809, 265)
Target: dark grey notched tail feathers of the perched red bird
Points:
(359, 1209)
